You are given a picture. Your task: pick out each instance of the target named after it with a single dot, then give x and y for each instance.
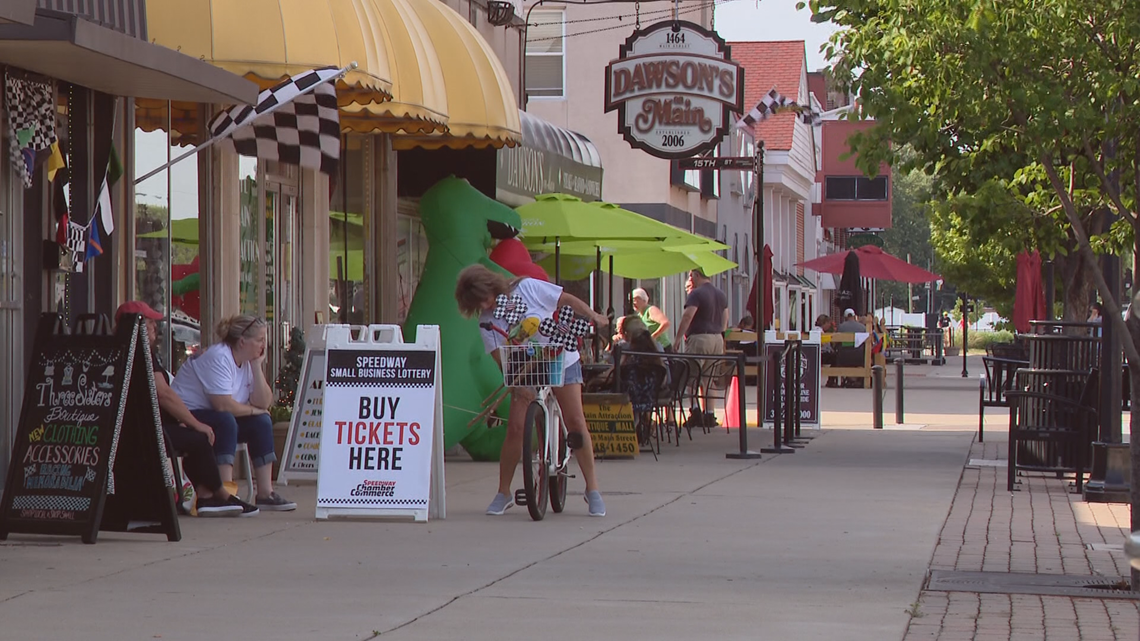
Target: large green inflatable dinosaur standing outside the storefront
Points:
(461, 225)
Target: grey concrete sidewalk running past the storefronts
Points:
(833, 542)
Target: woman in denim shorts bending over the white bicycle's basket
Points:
(476, 293)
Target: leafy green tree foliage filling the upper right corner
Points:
(1036, 99)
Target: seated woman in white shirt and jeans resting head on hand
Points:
(225, 387)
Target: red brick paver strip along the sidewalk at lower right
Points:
(1044, 529)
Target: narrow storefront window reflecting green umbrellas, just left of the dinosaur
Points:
(351, 213)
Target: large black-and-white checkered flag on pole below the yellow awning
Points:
(304, 127)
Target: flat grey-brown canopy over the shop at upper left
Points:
(75, 50)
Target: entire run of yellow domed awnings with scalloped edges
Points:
(425, 72)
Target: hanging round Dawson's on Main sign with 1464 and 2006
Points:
(674, 91)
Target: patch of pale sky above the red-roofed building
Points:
(773, 20)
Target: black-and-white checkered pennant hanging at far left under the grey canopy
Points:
(31, 124)
